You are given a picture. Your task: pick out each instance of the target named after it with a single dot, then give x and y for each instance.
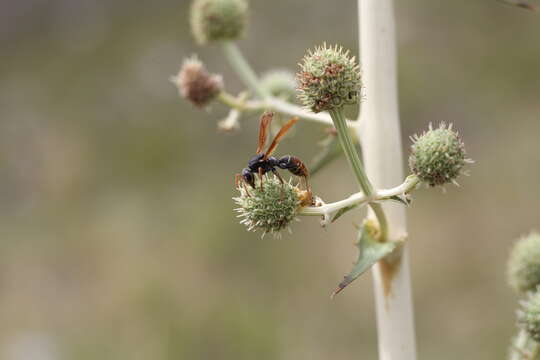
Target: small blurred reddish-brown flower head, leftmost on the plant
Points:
(196, 84)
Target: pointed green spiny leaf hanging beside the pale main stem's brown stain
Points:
(371, 251)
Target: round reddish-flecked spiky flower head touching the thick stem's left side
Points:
(329, 79)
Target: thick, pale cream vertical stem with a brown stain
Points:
(381, 142)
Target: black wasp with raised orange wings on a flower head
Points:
(262, 162)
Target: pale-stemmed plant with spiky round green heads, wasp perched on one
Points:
(328, 80)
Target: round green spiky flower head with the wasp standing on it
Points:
(271, 208)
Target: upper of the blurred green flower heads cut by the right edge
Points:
(524, 263)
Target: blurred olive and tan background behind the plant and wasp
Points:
(118, 236)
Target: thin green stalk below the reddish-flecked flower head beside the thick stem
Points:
(354, 161)
